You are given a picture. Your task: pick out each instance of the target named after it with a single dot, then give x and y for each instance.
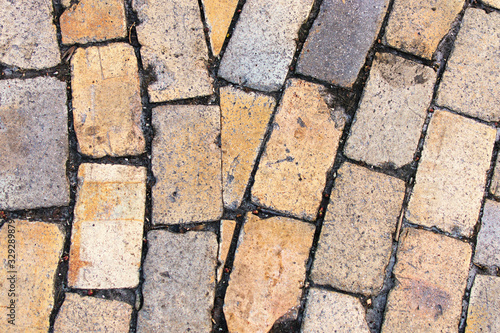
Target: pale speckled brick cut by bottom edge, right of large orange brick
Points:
(328, 311)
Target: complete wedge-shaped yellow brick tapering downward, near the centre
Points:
(244, 118)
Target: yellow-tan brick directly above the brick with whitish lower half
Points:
(107, 101)
